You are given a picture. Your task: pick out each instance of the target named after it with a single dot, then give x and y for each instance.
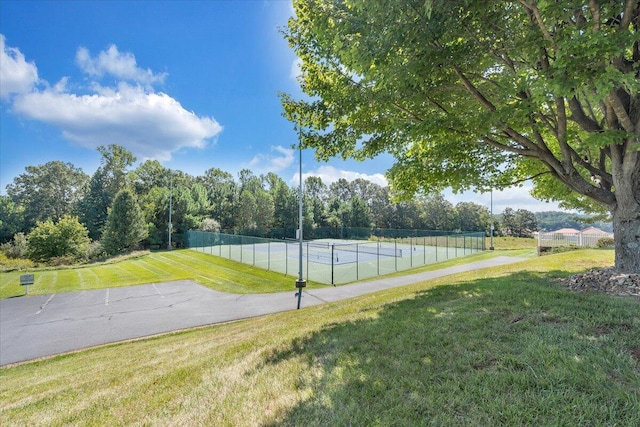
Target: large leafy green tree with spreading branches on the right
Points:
(481, 94)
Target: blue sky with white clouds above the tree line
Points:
(192, 84)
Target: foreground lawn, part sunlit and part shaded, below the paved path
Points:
(501, 346)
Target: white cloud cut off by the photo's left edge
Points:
(16, 74)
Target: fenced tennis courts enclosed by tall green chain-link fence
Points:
(336, 261)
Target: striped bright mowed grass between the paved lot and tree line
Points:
(208, 270)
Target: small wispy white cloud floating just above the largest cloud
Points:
(121, 65)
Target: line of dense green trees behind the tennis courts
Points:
(55, 210)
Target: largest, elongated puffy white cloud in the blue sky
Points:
(150, 125)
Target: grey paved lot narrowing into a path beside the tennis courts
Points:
(44, 325)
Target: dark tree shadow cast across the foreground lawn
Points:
(515, 350)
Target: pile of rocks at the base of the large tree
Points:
(605, 280)
